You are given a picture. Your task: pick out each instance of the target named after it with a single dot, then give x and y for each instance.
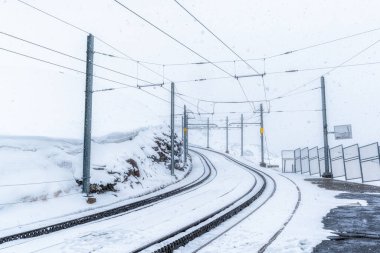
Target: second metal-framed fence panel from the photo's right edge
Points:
(352, 162)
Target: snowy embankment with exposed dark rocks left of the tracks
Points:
(38, 174)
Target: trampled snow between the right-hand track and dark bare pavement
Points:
(302, 233)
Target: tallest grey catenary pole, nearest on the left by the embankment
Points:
(88, 115)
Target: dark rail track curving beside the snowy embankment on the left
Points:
(113, 212)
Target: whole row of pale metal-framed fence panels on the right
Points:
(349, 163)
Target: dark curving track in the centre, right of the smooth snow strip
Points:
(184, 235)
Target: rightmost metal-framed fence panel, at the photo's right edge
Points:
(370, 162)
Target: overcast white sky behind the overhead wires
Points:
(38, 99)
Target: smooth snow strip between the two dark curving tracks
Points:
(127, 232)
